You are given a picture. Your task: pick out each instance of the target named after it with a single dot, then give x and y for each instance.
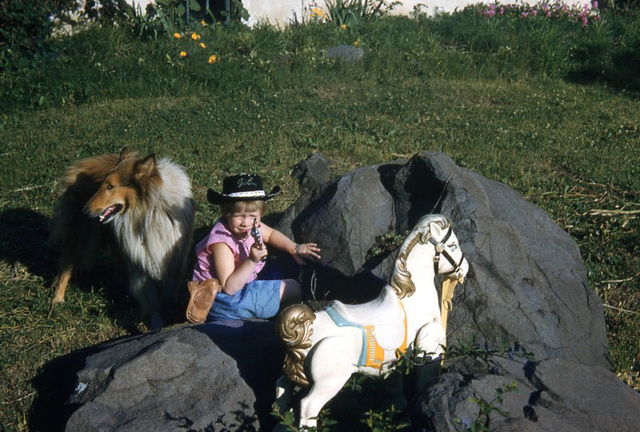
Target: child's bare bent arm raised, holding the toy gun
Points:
(233, 279)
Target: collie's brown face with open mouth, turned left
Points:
(122, 188)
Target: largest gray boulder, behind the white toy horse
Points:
(527, 283)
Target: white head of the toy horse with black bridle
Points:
(449, 260)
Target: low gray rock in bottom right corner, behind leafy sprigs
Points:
(554, 395)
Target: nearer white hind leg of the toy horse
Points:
(333, 362)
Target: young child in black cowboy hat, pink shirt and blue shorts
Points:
(231, 254)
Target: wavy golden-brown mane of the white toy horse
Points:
(401, 278)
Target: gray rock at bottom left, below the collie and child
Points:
(196, 377)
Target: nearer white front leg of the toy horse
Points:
(429, 341)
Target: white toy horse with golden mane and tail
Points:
(323, 349)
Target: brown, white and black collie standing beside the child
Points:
(142, 208)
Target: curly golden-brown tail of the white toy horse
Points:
(294, 328)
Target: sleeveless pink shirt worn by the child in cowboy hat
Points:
(220, 234)
